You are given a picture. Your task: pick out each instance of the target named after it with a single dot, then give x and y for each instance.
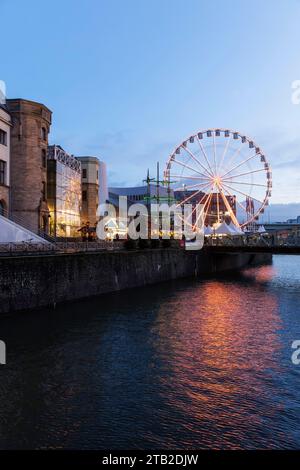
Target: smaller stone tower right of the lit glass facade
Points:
(90, 167)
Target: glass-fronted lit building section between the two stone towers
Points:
(63, 192)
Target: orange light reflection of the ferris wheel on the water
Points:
(221, 341)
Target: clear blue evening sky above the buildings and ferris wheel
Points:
(127, 80)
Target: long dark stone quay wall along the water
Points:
(30, 282)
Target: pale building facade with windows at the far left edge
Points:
(5, 127)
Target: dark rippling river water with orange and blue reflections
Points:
(184, 364)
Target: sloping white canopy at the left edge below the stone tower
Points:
(10, 232)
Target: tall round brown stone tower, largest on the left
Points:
(28, 174)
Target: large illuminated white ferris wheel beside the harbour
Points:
(225, 171)
